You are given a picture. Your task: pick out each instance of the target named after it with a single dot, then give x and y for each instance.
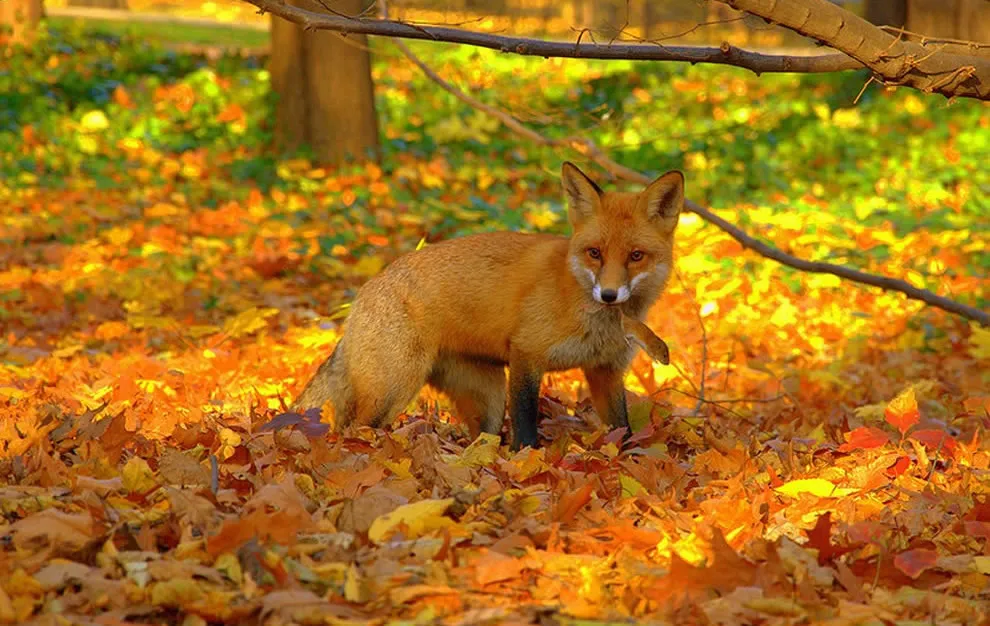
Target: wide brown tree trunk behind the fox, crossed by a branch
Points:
(325, 94)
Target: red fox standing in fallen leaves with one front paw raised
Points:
(455, 313)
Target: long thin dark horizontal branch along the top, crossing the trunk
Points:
(725, 54)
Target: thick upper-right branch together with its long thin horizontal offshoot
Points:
(934, 67)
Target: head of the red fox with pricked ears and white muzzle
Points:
(622, 243)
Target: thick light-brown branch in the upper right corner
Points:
(894, 60)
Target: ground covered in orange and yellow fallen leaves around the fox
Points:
(815, 453)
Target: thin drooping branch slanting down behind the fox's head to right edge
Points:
(592, 151)
